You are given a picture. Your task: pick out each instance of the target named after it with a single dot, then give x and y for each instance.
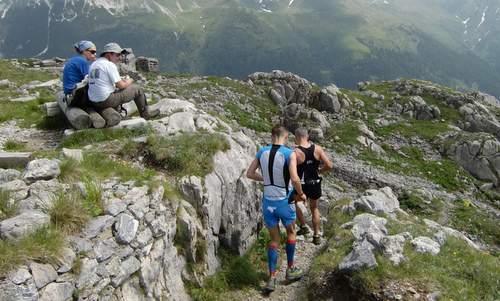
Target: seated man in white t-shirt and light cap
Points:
(108, 90)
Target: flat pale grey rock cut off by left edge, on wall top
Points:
(23, 224)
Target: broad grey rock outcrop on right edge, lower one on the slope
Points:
(478, 153)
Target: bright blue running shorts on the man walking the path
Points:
(274, 211)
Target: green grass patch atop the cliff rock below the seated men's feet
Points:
(187, 154)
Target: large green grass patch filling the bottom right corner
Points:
(458, 272)
